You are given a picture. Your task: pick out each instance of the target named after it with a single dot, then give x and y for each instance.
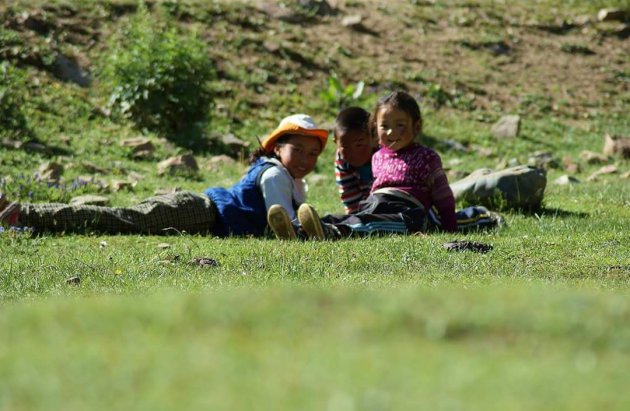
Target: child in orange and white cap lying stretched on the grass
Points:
(275, 178)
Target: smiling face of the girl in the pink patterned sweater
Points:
(395, 128)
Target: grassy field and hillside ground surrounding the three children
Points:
(131, 322)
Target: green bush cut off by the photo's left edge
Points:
(12, 119)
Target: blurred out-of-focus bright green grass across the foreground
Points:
(314, 348)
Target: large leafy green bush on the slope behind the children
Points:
(159, 76)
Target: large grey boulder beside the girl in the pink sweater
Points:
(520, 187)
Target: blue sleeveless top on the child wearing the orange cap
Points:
(241, 208)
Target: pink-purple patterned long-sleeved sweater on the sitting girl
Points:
(416, 170)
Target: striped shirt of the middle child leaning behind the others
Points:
(353, 183)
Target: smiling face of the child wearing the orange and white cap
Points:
(299, 154)
